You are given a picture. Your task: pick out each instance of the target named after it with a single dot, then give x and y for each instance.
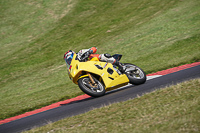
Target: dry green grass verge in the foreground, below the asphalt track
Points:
(173, 109)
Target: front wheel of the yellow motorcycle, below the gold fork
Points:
(96, 90)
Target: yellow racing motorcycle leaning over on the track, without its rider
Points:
(95, 77)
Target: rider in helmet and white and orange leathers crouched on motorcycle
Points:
(83, 54)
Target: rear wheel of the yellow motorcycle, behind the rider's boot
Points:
(136, 76)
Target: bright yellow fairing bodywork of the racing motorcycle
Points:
(111, 80)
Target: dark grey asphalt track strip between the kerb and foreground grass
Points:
(85, 105)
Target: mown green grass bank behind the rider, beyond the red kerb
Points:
(35, 34)
